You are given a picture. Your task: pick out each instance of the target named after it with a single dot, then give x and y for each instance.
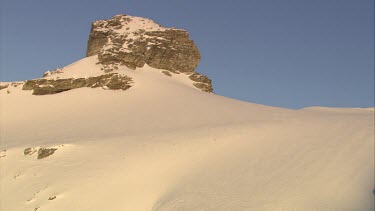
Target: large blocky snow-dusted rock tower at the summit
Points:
(135, 41)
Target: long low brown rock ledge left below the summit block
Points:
(52, 86)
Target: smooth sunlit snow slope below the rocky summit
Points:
(165, 145)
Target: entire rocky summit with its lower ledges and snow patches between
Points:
(123, 42)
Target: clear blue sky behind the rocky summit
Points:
(290, 53)
